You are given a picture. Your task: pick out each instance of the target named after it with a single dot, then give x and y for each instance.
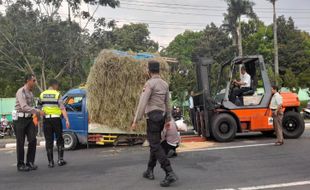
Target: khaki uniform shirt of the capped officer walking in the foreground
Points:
(155, 96)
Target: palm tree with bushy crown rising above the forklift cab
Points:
(237, 8)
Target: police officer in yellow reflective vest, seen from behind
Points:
(53, 108)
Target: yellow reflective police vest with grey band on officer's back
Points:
(49, 100)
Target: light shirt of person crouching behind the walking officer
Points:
(171, 134)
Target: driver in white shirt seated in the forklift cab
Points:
(244, 85)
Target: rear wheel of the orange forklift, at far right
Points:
(293, 125)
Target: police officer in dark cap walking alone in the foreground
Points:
(154, 101)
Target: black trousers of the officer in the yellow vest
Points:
(51, 127)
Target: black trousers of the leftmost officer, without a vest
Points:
(25, 127)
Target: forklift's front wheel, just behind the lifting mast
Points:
(224, 127)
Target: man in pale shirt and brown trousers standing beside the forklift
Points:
(277, 114)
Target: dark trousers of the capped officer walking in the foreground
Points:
(155, 125)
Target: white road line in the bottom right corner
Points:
(272, 186)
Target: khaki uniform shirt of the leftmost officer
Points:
(25, 101)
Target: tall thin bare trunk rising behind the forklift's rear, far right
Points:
(275, 41)
